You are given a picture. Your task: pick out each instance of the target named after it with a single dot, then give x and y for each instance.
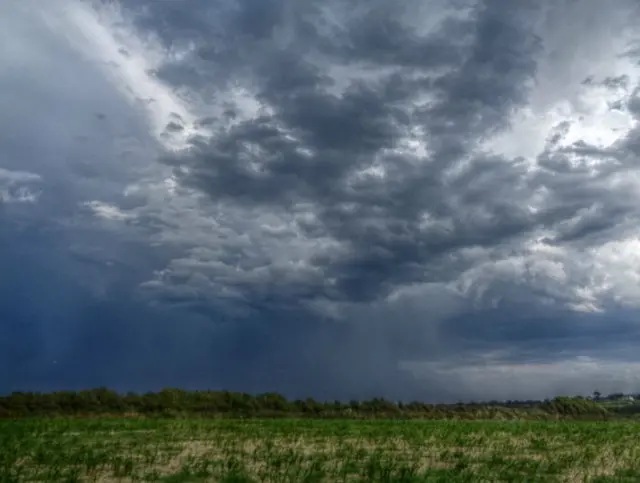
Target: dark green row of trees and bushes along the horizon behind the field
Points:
(181, 403)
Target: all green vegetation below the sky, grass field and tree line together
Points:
(201, 436)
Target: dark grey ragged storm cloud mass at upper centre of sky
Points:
(316, 140)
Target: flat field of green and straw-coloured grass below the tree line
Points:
(281, 451)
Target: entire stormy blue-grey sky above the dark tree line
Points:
(427, 199)
